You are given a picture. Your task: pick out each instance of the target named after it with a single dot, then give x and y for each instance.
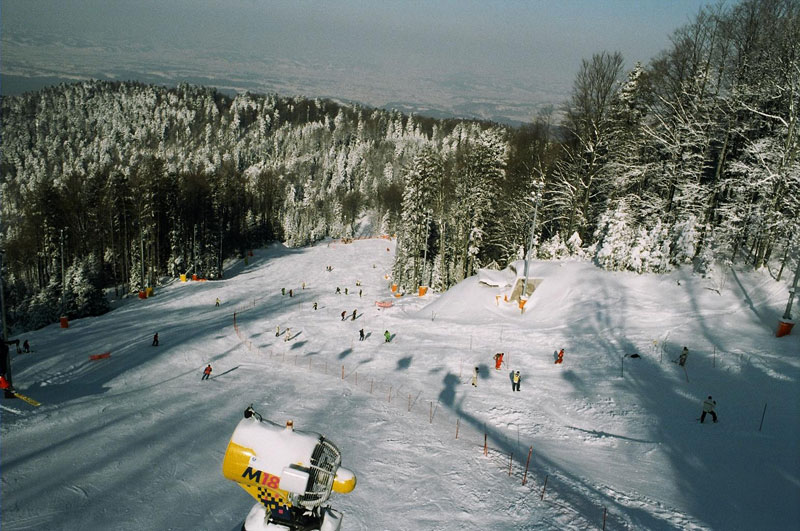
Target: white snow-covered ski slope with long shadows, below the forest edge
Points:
(136, 441)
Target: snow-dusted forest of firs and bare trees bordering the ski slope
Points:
(692, 158)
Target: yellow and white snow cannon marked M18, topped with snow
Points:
(290, 474)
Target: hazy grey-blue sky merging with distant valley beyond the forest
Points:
(504, 57)
